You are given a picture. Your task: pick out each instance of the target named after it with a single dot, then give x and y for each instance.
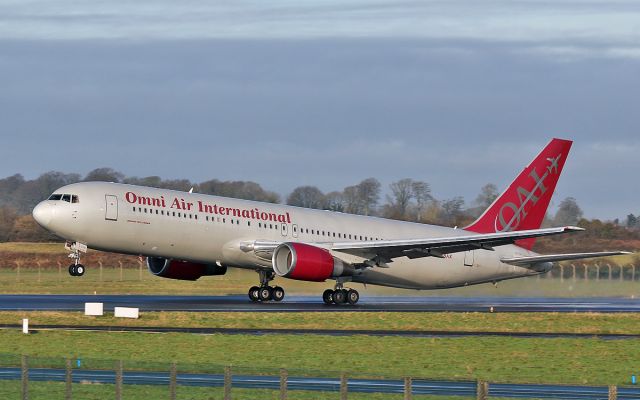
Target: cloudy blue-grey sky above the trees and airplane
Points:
(289, 93)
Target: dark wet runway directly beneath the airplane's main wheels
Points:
(315, 304)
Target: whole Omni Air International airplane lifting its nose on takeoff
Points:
(186, 236)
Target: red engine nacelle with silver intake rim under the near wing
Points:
(308, 263)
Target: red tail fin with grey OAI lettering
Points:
(524, 204)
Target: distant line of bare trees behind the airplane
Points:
(408, 199)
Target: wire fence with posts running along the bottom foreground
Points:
(30, 377)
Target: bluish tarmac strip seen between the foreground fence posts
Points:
(419, 387)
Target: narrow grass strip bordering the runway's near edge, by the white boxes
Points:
(467, 322)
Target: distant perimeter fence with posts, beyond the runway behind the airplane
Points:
(42, 271)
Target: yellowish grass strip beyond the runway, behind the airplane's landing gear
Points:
(237, 282)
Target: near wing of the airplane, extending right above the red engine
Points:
(385, 250)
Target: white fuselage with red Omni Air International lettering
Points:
(211, 229)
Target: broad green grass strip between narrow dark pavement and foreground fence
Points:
(576, 361)
